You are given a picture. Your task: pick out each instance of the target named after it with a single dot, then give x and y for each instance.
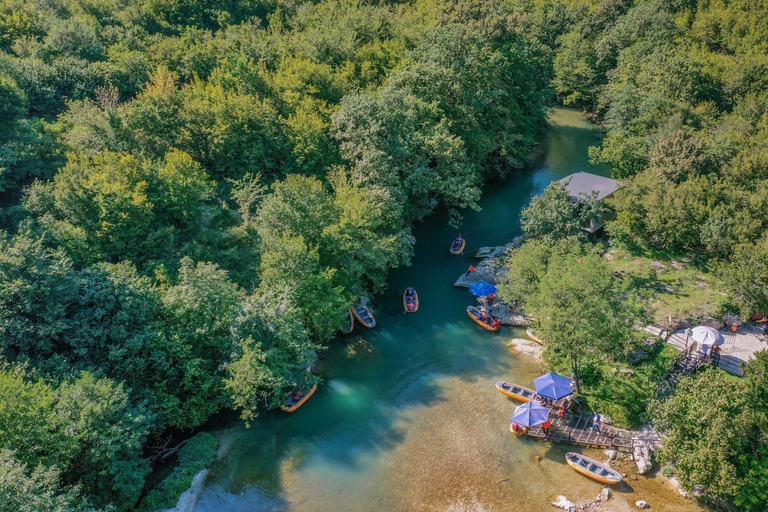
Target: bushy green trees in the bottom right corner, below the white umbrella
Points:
(716, 434)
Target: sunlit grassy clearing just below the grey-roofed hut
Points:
(680, 288)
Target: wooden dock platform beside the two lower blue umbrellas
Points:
(576, 429)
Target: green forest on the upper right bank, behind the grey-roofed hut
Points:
(685, 113)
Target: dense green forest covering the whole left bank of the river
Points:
(194, 192)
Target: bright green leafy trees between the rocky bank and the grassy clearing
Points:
(586, 313)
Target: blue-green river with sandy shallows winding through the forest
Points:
(407, 418)
